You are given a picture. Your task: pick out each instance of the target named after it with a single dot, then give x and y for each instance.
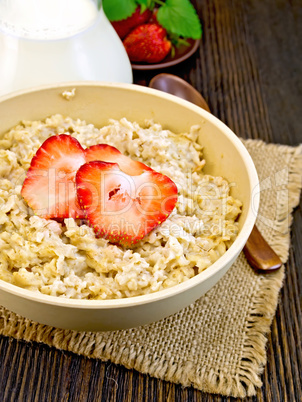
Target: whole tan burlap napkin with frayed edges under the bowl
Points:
(218, 343)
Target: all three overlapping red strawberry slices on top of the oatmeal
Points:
(122, 199)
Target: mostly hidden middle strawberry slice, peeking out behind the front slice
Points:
(107, 153)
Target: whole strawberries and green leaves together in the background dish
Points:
(178, 18)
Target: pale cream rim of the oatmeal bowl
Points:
(229, 256)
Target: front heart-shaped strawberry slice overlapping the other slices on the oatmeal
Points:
(120, 207)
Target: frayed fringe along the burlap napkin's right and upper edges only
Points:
(266, 295)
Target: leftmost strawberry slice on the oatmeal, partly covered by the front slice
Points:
(49, 186)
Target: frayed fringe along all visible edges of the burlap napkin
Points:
(92, 345)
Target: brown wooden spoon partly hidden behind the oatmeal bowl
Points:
(257, 251)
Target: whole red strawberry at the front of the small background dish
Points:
(147, 43)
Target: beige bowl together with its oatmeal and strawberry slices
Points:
(103, 176)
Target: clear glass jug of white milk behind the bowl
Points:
(51, 41)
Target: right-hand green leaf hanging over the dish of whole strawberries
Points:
(179, 17)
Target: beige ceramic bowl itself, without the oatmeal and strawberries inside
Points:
(96, 103)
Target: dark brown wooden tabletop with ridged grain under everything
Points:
(249, 69)
